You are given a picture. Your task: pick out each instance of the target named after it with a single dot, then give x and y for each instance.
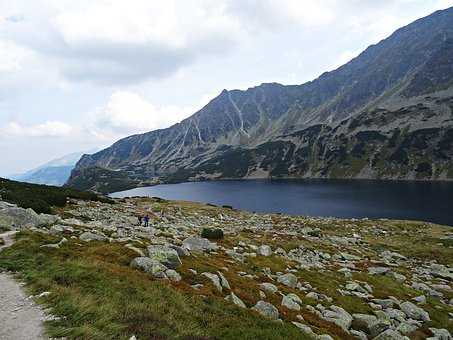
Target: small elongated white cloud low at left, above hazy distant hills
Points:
(47, 129)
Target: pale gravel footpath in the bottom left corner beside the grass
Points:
(20, 317)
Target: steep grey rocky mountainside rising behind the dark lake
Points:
(385, 114)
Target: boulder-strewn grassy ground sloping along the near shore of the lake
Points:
(329, 278)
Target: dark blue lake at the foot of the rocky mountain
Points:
(425, 201)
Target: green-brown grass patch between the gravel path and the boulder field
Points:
(101, 297)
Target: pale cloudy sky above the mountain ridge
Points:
(78, 75)
